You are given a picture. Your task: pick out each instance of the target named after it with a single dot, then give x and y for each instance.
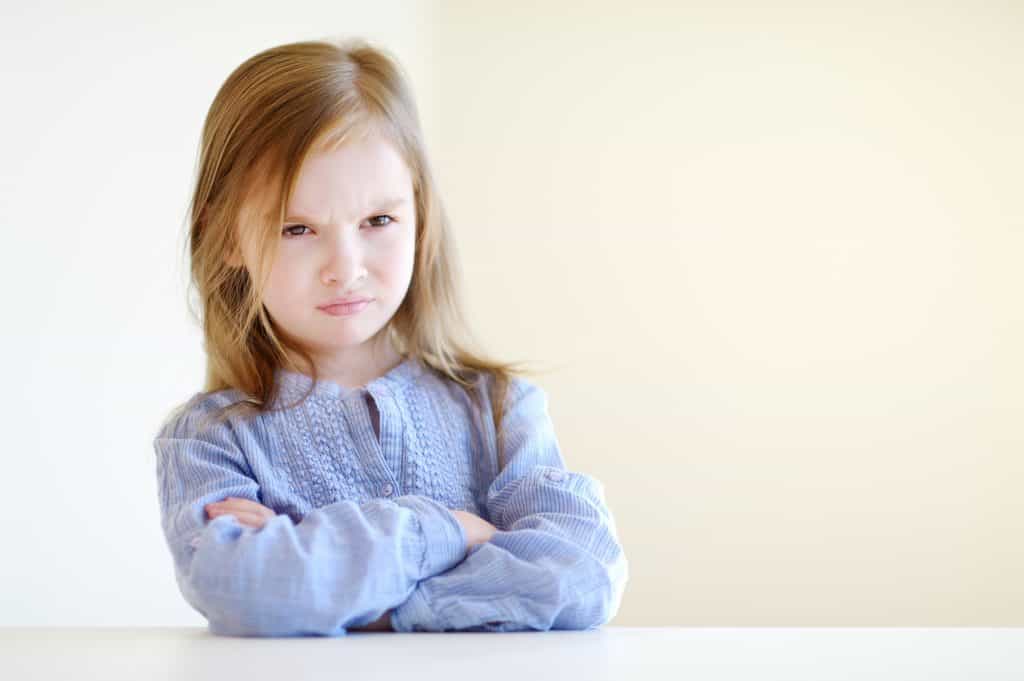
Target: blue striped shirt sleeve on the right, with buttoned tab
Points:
(556, 562)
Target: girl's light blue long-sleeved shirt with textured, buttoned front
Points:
(363, 482)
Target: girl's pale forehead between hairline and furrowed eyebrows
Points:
(347, 181)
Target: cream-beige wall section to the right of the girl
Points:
(773, 259)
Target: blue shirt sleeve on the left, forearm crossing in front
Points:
(344, 566)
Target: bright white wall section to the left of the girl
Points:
(103, 110)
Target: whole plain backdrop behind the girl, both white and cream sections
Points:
(772, 258)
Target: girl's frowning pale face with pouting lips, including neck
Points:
(350, 233)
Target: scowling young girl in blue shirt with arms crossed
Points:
(353, 464)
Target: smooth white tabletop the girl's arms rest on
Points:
(609, 653)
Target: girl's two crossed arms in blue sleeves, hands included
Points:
(551, 561)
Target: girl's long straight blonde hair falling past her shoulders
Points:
(274, 111)
